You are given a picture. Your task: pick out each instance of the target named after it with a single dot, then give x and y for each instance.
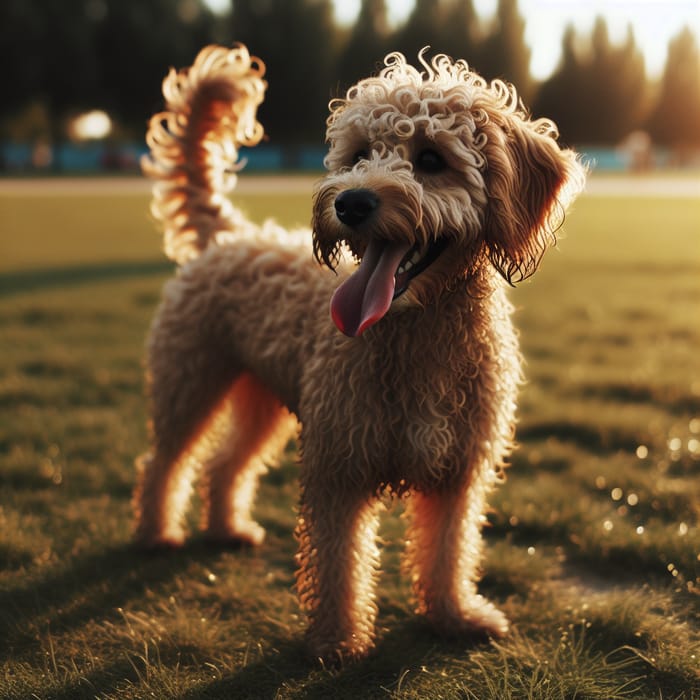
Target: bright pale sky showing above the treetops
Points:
(654, 23)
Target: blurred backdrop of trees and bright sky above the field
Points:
(621, 79)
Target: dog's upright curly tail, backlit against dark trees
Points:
(210, 112)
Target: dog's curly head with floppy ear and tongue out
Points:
(434, 175)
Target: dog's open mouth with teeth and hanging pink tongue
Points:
(385, 273)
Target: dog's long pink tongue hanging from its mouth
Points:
(367, 294)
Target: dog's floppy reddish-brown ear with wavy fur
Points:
(530, 181)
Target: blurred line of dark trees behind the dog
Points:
(66, 56)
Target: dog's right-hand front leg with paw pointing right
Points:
(443, 559)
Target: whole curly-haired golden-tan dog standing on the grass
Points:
(440, 191)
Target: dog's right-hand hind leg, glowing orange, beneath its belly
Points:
(258, 428)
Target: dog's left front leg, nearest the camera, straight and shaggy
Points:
(338, 559)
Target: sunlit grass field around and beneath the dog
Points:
(593, 544)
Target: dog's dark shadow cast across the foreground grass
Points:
(97, 585)
